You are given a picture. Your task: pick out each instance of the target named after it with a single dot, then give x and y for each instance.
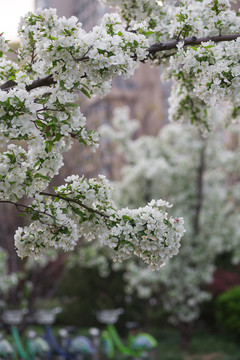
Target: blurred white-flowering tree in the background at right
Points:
(180, 155)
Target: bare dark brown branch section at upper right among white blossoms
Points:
(190, 41)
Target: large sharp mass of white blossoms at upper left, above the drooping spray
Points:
(57, 54)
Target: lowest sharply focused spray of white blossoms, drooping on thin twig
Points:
(82, 208)
